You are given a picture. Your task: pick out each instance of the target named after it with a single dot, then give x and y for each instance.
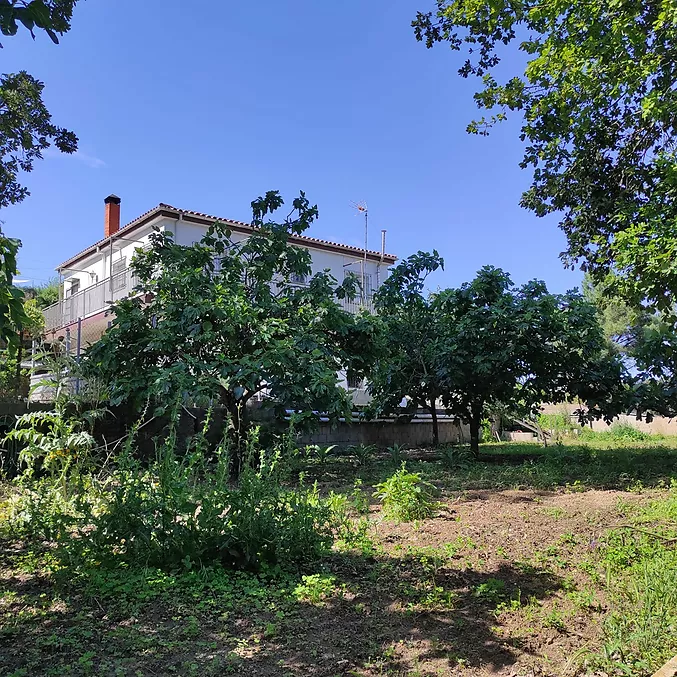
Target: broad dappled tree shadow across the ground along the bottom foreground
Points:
(382, 615)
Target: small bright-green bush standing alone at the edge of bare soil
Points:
(405, 496)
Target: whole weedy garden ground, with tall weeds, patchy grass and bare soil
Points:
(557, 561)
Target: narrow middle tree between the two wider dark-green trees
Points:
(408, 364)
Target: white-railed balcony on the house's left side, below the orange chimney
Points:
(90, 301)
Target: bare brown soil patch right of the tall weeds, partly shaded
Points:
(540, 621)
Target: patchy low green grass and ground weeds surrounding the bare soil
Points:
(357, 605)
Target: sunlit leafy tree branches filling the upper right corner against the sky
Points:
(598, 103)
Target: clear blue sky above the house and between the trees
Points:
(206, 105)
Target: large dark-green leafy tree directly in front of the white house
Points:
(225, 319)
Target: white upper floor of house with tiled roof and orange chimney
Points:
(100, 274)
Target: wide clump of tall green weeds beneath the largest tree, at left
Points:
(179, 512)
